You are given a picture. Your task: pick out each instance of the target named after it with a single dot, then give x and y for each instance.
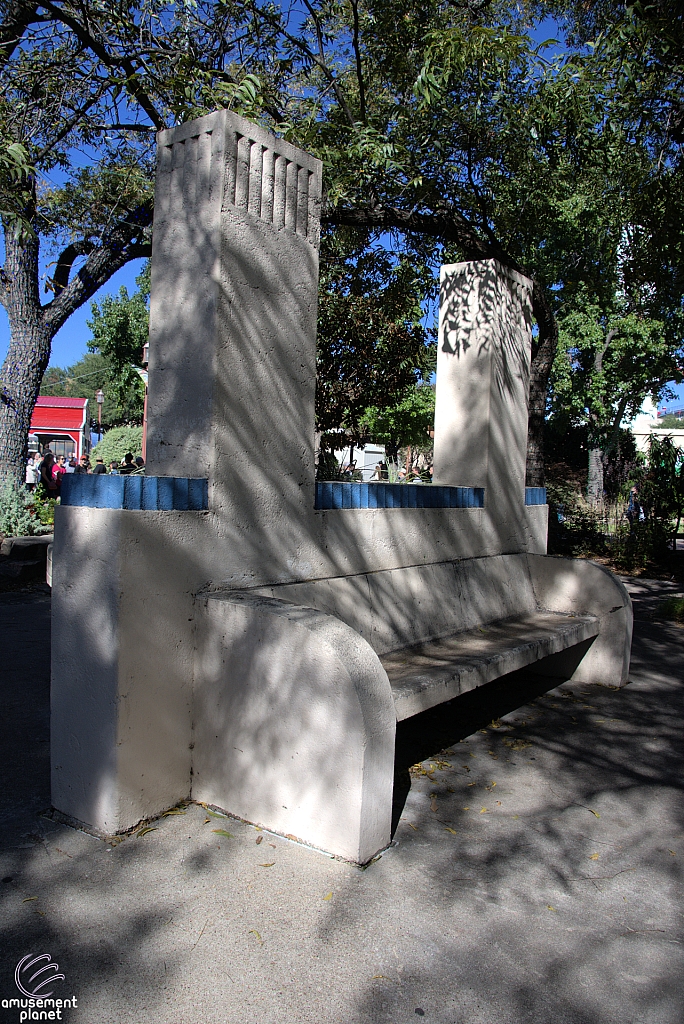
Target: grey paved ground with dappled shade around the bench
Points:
(536, 877)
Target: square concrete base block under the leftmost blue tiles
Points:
(122, 664)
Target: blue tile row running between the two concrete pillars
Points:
(339, 495)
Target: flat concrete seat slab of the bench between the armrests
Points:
(432, 673)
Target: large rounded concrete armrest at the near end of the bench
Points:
(294, 724)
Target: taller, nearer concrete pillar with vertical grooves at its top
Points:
(233, 320)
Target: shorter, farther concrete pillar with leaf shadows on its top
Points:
(483, 389)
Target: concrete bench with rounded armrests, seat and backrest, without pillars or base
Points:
(300, 687)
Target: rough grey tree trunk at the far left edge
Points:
(28, 356)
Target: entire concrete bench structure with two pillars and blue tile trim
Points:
(229, 630)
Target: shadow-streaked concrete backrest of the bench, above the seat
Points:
(399, 608)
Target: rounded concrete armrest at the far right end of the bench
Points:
(578, 585)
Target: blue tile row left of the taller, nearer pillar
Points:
(136, 493)
